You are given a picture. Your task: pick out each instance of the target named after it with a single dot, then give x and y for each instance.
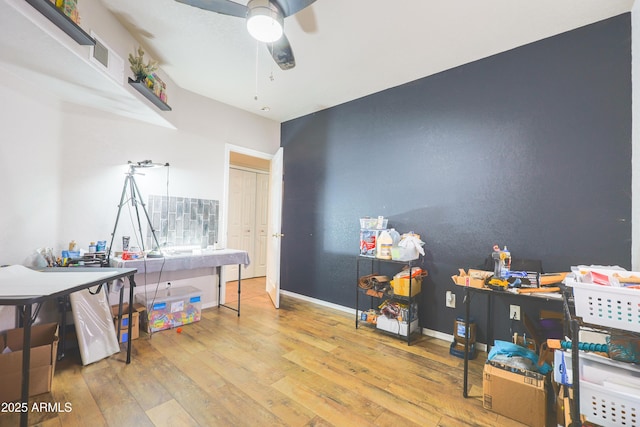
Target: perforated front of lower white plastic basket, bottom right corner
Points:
(606, 406)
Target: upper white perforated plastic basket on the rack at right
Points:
(609, 306)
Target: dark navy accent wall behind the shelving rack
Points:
(530, 148)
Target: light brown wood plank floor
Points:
(301, 365)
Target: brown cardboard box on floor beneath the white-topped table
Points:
(44, 349)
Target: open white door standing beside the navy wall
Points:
(274, 229)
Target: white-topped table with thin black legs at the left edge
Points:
(24, 288)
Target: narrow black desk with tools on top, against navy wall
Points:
(468, 290)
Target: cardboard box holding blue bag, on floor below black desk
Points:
(516, 394)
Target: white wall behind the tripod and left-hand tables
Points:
(63, 165)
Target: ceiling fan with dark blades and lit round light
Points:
(265, 22)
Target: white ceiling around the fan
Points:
(344, 49)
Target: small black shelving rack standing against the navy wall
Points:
(404, 329)
